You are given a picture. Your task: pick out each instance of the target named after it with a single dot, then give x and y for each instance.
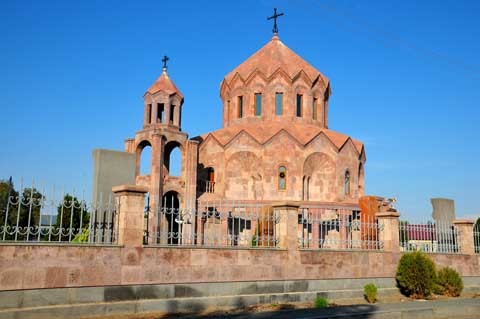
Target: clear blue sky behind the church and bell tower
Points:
(405, 79)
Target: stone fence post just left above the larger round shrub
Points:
(390, 235)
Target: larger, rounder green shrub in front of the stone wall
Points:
(416, 275)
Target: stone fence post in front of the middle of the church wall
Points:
(288, 224)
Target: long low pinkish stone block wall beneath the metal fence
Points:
(58, 266)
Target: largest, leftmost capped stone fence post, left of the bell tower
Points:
(130, 201)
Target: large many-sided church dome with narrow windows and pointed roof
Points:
(275, 84)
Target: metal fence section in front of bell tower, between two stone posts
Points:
(214, 224)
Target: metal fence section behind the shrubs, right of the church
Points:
(429, 237)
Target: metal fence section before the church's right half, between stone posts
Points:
(338, 228)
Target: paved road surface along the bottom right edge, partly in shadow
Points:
(457, 308)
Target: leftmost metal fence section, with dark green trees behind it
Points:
(31, 215)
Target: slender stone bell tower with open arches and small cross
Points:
(175, 189)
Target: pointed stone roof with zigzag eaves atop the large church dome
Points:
(273, 56)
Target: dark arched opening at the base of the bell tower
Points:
(171, 211)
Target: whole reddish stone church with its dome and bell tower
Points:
(275, 143)
